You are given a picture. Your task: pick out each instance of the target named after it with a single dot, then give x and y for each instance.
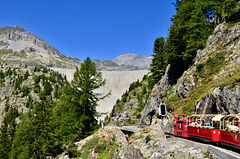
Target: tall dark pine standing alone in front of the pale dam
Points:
(86, 80)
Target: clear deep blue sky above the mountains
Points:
(99, 29)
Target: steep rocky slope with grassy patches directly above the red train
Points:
(211, 85)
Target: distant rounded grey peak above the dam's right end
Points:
(133, 60)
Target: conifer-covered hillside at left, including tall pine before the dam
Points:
(55, 113)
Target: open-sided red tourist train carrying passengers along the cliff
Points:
(222, 129)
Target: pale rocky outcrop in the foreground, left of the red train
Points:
(152, 143)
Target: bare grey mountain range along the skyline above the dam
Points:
(18, 47)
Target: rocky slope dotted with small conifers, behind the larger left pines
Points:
(21, 88)
